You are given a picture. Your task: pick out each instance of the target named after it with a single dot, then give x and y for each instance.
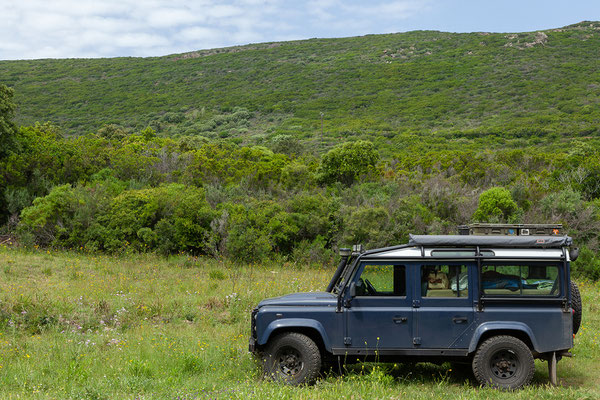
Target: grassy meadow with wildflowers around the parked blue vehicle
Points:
(78, 326)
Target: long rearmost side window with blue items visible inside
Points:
(520, 280)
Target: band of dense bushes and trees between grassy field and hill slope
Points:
(116, 191)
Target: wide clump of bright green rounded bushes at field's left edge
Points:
(104, 216)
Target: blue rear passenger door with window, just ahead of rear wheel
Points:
(444, 305)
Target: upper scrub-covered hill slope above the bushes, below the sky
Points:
(425, 81)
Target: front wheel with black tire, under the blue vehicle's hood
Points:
(292, 358)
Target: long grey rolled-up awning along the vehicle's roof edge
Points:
(490, 241)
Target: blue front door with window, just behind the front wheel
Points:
(379, 316)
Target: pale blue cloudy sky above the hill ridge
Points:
(110, 28)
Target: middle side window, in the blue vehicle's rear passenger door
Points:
(444, 281)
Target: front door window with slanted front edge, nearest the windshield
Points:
(382, 280)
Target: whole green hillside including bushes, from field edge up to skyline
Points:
(220, 152)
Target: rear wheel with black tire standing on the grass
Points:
(503, 362)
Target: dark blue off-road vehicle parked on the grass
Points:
(495, 302)
